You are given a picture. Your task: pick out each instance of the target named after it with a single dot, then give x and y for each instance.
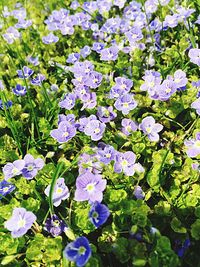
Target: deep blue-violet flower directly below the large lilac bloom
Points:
(98, 214)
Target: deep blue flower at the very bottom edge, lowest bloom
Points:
(78, 251)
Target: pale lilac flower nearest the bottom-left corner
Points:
(20, 222)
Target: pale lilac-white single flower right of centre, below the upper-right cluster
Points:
(151, 128)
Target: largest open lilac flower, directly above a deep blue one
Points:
(89, 187)
